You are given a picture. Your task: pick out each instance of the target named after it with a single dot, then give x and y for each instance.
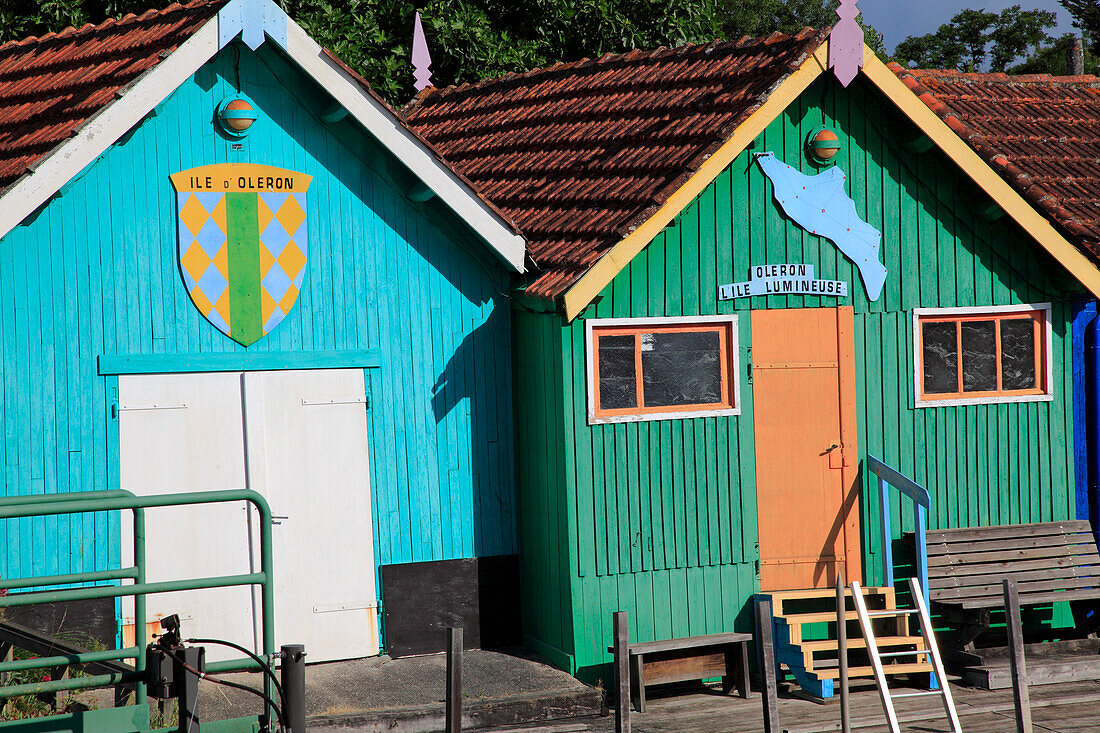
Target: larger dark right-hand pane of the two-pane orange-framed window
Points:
(681, 369)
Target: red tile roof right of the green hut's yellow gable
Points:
(1040, 133)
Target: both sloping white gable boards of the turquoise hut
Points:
(115, 121)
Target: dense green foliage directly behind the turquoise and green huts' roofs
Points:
(472, 40)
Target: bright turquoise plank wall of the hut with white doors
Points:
(95, 272)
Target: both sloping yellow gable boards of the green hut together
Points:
(586, 290)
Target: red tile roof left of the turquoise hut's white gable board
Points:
(52, 85)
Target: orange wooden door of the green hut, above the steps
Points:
(805, 413)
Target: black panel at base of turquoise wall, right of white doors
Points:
(422, 600)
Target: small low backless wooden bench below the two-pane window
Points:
(690, 659)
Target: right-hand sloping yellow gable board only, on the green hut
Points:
(978, 170)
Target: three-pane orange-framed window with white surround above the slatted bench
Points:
(972, 356)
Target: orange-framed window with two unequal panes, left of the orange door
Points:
(662, 369)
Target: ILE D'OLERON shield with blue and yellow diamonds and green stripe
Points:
(243, 245)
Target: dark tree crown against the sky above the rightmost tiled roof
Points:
(975, 40)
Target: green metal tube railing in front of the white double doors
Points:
(103, 501)
